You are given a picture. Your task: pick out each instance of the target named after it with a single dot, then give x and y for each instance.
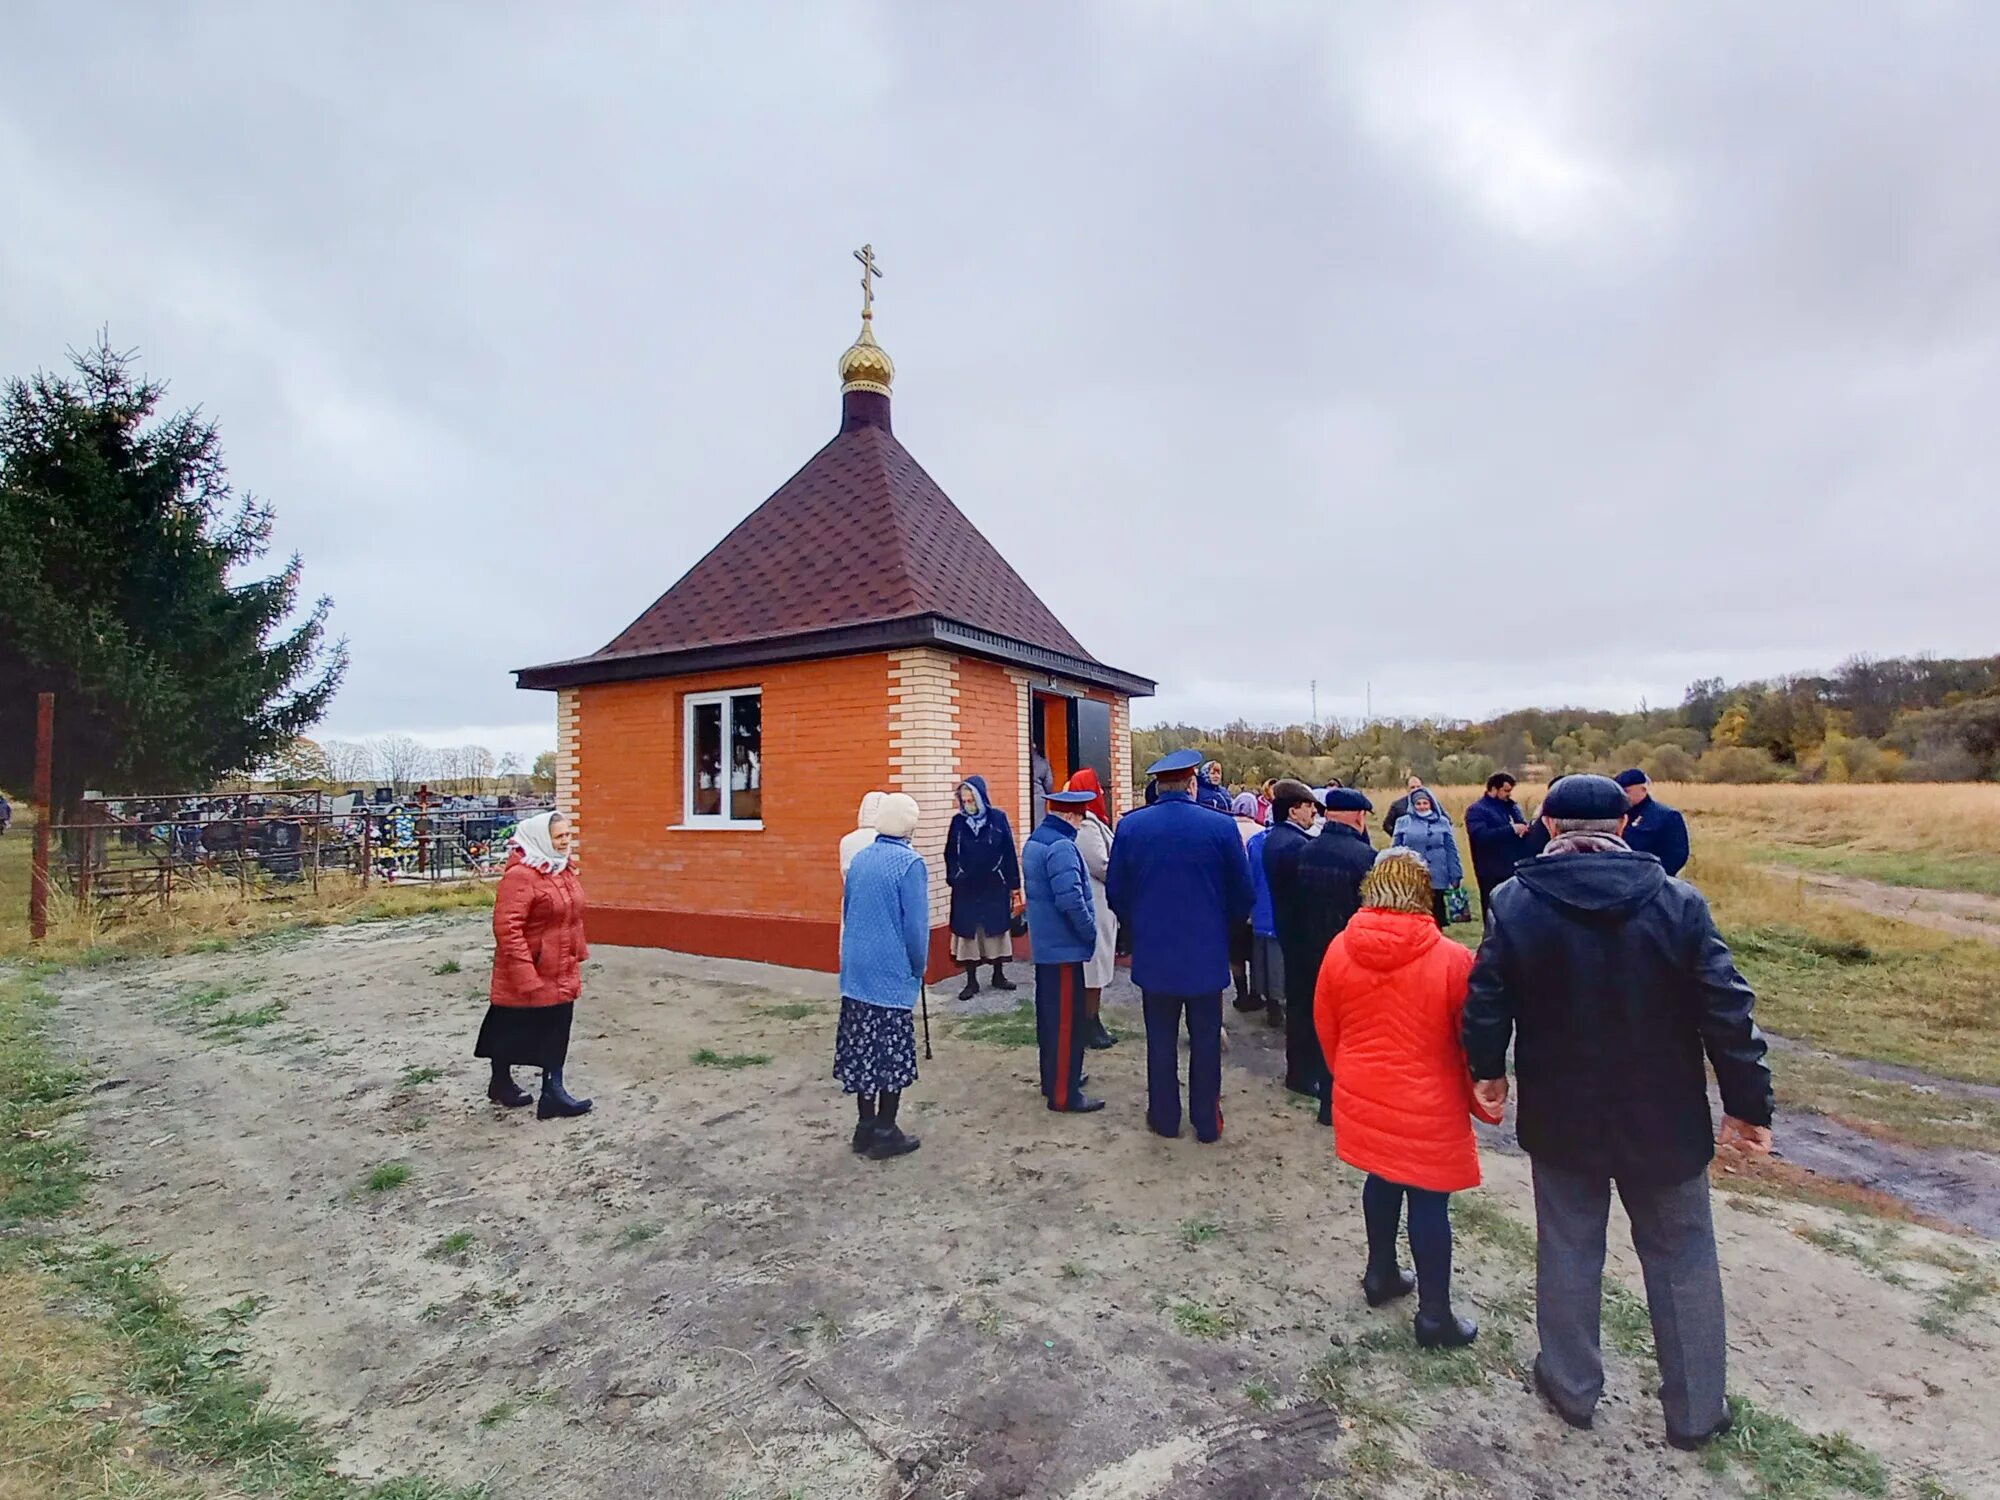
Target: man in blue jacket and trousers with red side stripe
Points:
(1063, 929)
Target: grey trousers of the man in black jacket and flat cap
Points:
(1677, 1249)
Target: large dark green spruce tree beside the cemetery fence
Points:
(121, 591)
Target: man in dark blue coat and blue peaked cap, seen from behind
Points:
(1179, 885)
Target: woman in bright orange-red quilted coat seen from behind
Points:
(1387, 1009)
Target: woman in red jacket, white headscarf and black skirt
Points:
(539, 967)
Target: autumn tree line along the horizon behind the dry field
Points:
(1869, 721)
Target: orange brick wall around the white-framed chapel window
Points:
(825, 745)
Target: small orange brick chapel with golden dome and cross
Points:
(855, 633)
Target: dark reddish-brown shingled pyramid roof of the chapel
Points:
(857, 551)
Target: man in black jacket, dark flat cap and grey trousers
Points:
(1613, 985)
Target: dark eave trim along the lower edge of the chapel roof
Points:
(841, 641)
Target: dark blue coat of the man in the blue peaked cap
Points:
(1179, 885)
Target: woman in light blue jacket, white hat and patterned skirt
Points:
(885, 947)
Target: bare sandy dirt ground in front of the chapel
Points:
(699, 1291)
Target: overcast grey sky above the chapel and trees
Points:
(1483, 355)
